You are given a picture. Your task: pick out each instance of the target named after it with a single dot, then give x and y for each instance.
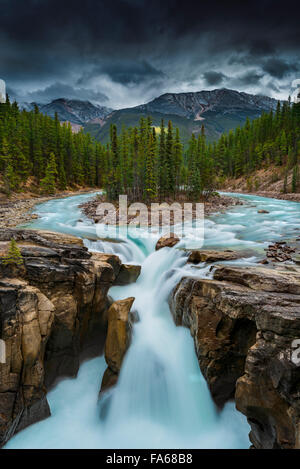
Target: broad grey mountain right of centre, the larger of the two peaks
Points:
(218, 110)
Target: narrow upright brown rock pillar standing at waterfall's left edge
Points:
(117, 340)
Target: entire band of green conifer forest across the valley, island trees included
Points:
(145, 162)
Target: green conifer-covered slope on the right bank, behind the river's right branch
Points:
(271, 141)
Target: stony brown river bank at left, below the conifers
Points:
(18, 208)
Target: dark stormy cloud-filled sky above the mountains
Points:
(122, 53)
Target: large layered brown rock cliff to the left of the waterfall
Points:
(53, 311)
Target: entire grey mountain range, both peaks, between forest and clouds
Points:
(219, 111)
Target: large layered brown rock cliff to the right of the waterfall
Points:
(244, 322)
